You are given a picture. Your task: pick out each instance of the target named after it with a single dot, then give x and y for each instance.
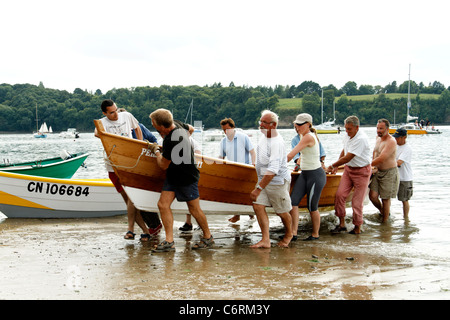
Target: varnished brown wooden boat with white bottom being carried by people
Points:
(224, 186)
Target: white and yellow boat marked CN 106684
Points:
(24, 196)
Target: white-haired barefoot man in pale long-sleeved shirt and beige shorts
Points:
(274, 180)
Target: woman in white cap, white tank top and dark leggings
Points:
(312, 178)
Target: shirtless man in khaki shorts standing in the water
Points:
(385, 179)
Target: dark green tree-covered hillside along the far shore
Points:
(63, 110)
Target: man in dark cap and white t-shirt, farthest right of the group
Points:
(404, 156)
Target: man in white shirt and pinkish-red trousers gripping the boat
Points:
(357, 158)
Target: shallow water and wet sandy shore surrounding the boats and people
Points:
(89, 259)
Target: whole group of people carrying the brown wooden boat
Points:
(274, 178)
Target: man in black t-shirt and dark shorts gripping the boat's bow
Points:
(182, 177)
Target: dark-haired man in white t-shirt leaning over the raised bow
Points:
(121, 123)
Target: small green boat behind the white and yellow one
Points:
(58, 167)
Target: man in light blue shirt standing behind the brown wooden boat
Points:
(236, 146)
